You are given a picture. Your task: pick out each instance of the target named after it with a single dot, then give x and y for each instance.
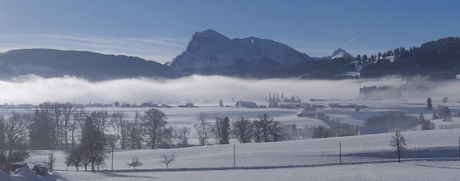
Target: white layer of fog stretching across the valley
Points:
(34, 90)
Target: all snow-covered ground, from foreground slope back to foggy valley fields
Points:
(431, 155)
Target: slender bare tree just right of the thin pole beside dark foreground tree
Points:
(119, 123)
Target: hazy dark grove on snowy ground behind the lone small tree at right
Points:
(395, 120)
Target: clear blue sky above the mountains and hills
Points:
(160, 30)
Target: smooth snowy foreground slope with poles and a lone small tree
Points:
(431, 155)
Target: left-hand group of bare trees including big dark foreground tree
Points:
(59, 126)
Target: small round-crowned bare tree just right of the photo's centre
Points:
(242, 129)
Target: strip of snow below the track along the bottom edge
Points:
(418, 170)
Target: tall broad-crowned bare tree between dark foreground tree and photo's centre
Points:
(155, 121)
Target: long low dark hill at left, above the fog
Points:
(88, 65)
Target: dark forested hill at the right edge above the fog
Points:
(440, 59)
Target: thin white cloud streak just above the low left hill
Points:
(157, 49)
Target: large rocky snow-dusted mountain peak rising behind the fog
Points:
(211, 52)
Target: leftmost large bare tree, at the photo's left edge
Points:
(16, 127)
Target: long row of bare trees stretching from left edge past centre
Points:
(60, 126)
